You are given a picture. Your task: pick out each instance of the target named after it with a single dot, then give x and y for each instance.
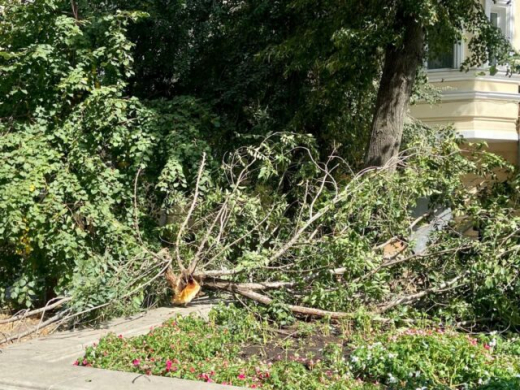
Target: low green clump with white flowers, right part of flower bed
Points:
(434, 359)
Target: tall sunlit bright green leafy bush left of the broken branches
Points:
(72, 145)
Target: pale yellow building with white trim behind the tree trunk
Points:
(481, 107)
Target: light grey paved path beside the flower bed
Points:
(46, 363)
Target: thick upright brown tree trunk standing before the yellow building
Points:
(400, 68)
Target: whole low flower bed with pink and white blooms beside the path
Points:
(235, 348)
